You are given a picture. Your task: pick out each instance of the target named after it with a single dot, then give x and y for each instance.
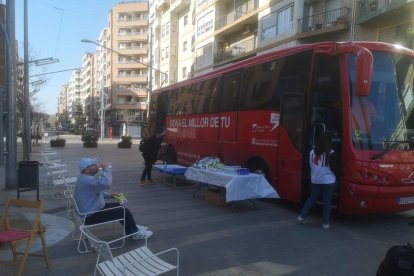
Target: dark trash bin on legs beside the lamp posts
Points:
(28, 177)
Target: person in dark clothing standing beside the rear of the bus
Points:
(150, 155)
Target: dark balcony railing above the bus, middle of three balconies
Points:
(323, 20)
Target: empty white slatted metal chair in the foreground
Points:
(140, 261)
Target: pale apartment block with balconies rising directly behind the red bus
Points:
(207, 34)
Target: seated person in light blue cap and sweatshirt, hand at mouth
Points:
(90, 193)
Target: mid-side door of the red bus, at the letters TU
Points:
(227, 121)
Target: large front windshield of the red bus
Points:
(384, 119)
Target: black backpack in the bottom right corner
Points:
(399, 261)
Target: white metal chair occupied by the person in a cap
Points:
(80, 218)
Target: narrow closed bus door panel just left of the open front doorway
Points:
(291, 146)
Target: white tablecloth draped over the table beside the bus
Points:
(238, 187)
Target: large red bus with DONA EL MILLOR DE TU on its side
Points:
(266, 112)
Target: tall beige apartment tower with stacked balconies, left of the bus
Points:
(127, 72)
